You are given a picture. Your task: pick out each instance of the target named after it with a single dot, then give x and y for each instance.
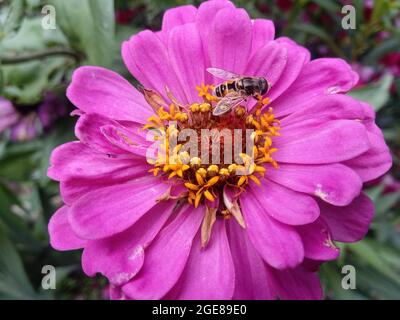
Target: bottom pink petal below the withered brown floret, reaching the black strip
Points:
(197, 281)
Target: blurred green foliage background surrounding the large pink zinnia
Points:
(91, 32)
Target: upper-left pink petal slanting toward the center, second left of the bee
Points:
(146, 57)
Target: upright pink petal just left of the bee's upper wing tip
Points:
(186, 53)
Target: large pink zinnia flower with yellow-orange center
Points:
(195, 231)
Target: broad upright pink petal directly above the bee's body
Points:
(229, 42)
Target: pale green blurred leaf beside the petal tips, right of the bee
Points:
(376, 94)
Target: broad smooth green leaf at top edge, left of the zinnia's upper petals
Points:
(89, 26)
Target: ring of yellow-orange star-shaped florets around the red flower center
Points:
(204, 182)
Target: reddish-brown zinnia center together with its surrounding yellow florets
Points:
(208, 152)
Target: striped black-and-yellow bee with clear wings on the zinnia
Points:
(236, 89)
